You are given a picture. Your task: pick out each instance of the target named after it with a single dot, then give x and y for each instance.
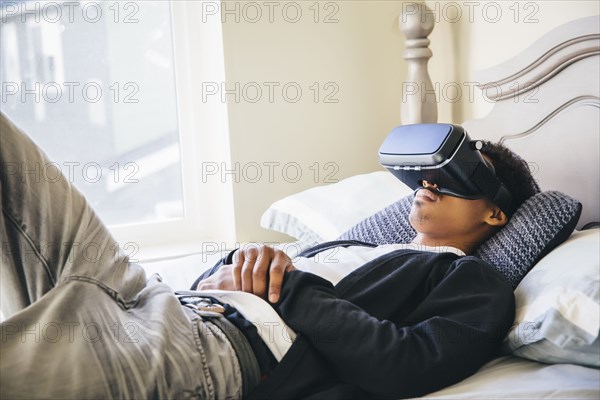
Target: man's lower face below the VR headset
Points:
(446, 217)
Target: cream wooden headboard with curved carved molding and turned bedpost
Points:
(546, 106)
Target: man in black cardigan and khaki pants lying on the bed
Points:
(395, 322)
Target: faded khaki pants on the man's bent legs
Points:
(81, 321)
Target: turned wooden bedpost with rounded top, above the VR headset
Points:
(418, 95)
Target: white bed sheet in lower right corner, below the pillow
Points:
(511, 377)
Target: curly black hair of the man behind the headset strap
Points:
(513, 172)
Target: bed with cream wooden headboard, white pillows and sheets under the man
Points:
(546, 108)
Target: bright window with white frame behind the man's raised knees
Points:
(105, 89)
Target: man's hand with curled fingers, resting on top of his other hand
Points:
(257, 268)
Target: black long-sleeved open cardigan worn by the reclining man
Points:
(403, 325)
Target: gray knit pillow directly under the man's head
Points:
(541, 223)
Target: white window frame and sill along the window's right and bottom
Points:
(208, 219)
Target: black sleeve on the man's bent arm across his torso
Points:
(455, 329)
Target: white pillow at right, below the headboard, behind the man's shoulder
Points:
(558, 305)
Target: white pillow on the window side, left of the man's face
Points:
(323, 213)
